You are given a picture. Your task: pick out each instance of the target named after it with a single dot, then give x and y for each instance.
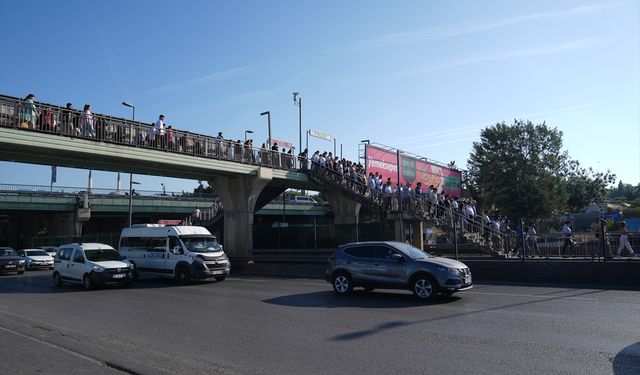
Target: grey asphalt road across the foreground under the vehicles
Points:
(260, 325)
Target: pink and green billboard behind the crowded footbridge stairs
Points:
(412, 170)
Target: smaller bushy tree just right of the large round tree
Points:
(585, 186)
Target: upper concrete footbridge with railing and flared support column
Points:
(245, 178)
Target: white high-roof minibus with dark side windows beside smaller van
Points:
(181, 252)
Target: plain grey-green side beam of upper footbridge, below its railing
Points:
(52, 149)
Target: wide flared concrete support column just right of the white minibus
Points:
(239, 195)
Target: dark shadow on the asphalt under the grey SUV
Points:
(358, 299)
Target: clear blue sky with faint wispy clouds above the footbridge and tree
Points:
(422, 76)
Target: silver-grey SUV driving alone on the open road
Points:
(395, 265)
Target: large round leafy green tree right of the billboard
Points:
(518, 169)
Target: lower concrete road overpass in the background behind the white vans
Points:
(29, 208)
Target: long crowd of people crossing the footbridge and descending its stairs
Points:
(427, 202)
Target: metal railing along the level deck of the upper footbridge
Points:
(47, 118)
